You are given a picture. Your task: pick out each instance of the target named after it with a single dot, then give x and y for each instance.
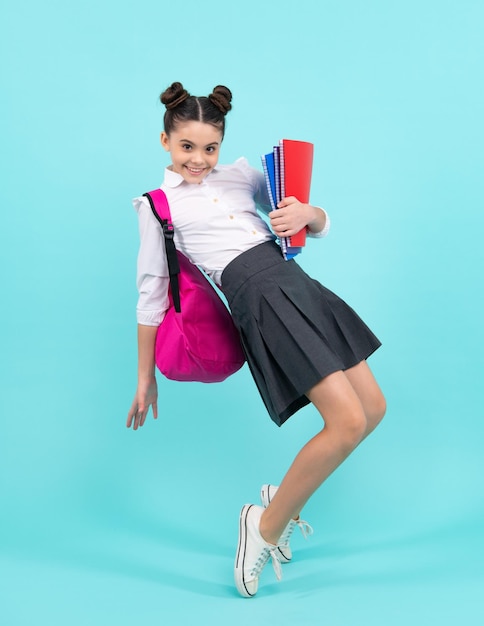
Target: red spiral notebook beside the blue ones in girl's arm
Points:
(296, 169)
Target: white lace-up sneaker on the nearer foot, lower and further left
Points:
(252, 552)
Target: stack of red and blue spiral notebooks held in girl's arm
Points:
(287, 171)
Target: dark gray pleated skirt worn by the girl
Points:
(294, 331)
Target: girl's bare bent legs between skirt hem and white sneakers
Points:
(351, 404)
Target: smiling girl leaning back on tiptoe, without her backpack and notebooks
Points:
(303, 344)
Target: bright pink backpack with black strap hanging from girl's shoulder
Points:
(197, 339)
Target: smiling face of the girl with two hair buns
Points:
(194, 148)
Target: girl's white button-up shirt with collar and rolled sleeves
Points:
(214, 222)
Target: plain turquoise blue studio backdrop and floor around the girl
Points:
(100, 525)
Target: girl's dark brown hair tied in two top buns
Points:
(182, 107)
